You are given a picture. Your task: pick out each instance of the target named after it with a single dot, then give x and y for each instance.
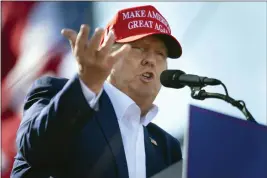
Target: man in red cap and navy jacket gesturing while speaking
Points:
(98, 124)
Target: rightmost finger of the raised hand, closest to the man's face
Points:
(119, 54)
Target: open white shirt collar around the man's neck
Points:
(121, 103)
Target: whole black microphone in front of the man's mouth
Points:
(179, 79)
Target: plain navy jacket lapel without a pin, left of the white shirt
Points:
(107, 120)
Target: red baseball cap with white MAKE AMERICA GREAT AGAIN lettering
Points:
(138, 22)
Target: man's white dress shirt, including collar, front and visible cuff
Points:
(130, 123)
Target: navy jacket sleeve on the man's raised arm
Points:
(54, 111)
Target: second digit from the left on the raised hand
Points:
(82, 39)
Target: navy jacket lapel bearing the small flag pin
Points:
(154, 162)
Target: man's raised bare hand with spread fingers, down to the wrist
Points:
(95, 62)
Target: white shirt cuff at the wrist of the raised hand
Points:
(90, 96)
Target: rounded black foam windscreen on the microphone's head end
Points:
(170, 78)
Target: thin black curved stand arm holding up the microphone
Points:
(200, 94)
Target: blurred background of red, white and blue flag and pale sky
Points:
(223, 40)
